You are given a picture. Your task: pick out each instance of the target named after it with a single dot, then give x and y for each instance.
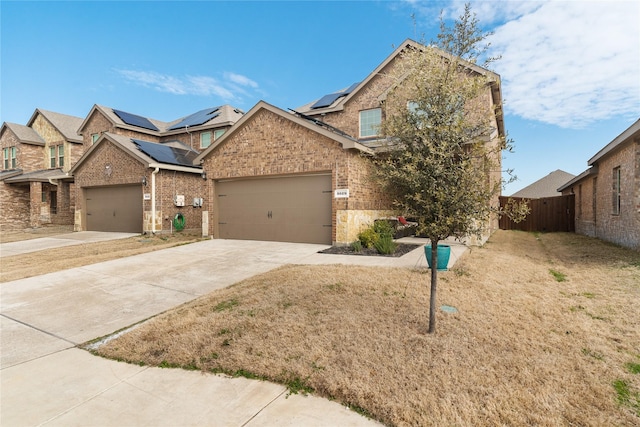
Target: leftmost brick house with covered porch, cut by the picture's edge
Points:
(35, 188)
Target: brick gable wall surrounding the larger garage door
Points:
(272, 145)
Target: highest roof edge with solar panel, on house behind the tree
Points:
(337, 100)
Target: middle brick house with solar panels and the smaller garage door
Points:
(124, 149)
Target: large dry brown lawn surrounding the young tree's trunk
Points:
(547, 333)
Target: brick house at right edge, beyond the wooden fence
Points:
(607, 195)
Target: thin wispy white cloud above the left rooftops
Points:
(229, 88)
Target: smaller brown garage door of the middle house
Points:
(114, 208)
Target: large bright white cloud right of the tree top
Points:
(571, 63)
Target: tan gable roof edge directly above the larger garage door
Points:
(345, 142)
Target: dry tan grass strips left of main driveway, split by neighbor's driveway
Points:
(51, 260)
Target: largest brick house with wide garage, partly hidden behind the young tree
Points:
(312, 163)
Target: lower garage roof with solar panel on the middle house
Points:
(170, 156)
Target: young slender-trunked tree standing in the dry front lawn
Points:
(442, 163)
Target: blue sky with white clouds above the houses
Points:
(570, 69)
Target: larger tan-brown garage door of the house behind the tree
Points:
(292, 209)
